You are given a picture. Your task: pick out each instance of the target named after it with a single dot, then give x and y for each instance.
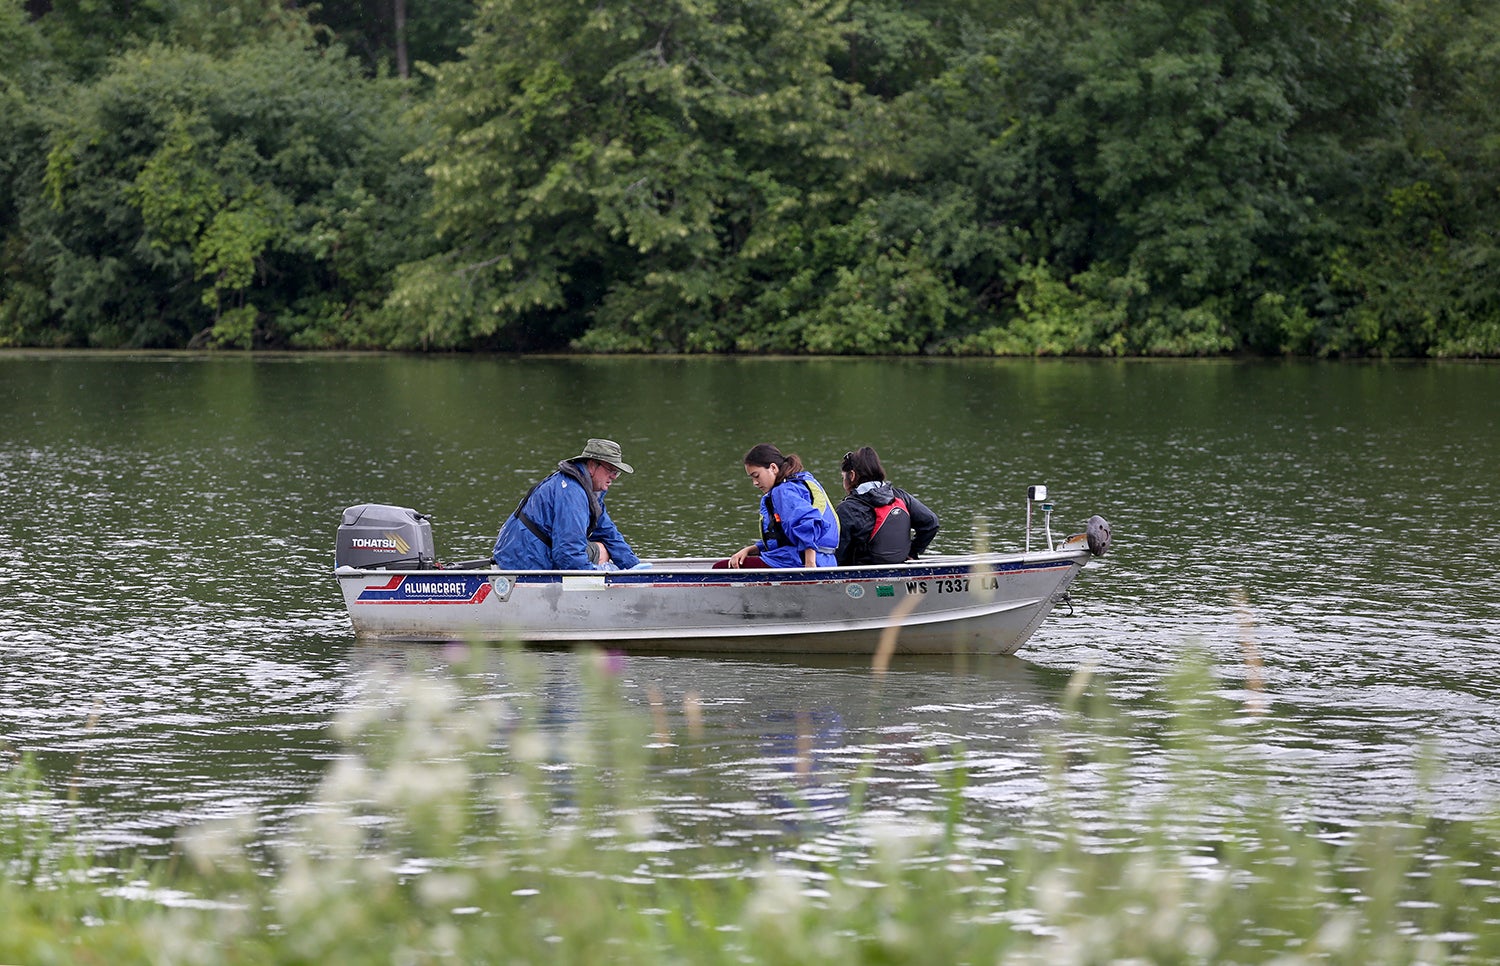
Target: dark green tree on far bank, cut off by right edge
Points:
(1417, 269)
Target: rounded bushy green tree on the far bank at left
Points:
(242, 202)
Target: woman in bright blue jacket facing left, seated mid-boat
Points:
(799, 526)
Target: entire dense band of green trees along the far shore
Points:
(1022, 178)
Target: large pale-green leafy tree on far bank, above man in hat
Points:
(637, 173)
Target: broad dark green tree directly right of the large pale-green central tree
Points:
(1144, 176)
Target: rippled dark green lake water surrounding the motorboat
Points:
(175, 646)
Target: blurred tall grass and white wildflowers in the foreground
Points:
(458, 830)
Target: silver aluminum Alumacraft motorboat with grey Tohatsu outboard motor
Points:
(988, 604)
